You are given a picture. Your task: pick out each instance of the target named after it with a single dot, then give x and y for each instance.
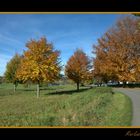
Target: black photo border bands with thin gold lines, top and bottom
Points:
(69, 7)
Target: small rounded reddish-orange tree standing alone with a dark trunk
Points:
(78, 67)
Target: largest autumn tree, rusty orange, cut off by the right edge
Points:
(118, 50)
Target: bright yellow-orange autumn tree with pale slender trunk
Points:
(40, 63)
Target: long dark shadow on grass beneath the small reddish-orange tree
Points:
(67, 92)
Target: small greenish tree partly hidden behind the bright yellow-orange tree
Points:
(11, 70)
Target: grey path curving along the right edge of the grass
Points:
(134, 94)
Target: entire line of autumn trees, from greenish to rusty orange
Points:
(117, 58)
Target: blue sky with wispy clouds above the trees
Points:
(66, 31)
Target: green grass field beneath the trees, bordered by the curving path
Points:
(63, 106)
